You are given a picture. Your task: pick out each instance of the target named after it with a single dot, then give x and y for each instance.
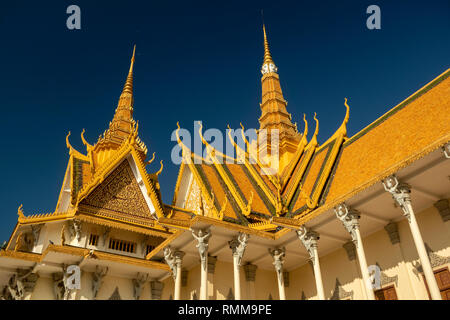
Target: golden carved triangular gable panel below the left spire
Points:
(117, 195)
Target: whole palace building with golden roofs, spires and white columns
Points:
(361, 217)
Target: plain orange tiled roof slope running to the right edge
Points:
(407, 132)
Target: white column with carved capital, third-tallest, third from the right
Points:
(309, 239)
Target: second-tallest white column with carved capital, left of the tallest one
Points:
(349, 219)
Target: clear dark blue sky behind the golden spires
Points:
(195, 60)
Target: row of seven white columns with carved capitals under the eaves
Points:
(349, 218)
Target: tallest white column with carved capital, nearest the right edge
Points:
(401, 194)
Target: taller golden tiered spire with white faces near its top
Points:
(274, 115)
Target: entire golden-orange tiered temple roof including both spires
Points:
(312, 178)
